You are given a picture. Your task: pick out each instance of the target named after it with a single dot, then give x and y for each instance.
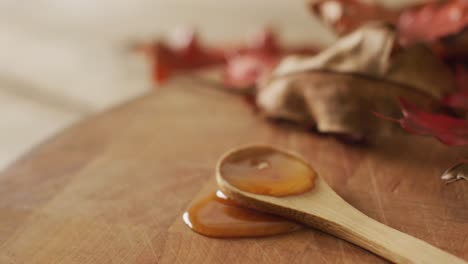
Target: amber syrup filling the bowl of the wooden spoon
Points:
(264, 170)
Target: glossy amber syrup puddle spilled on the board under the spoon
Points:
(217, 216)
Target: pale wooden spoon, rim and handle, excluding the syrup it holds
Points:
(323, 209)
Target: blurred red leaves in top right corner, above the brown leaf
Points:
(443, 24)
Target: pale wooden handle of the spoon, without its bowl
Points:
(384, 241)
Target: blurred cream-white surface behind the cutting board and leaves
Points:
(61, 60)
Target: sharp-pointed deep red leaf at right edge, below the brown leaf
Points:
(448, 130)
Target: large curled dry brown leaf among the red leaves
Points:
(337, 89)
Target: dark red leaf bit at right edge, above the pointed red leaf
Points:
(459, 99)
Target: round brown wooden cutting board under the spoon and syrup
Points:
(113, 189)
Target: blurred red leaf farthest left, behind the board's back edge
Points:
(242, 65)
